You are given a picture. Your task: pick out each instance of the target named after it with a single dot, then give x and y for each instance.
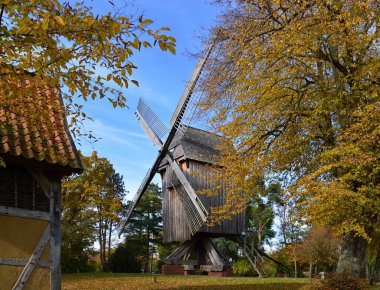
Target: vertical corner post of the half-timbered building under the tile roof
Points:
(55, 235)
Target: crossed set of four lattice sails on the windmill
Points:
(145, 112)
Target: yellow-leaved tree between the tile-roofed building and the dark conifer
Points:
(96, 194)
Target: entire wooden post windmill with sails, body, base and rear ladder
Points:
(184, 151)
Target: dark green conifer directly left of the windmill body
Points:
(145, 225)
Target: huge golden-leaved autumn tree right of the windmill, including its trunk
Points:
(295, 87)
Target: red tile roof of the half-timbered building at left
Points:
(35, 128)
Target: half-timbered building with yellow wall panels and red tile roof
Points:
(38, 153)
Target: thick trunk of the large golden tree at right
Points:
(352, 255)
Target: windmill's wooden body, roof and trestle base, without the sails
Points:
(195, 151)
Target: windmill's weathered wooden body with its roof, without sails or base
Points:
(195, 151)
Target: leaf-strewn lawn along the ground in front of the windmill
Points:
(132, 281)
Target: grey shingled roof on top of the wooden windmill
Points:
(196, 144)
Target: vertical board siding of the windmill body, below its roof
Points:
(174, 218)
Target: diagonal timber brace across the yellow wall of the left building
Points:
(29, 267)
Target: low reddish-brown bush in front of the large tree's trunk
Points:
(342, 282)
